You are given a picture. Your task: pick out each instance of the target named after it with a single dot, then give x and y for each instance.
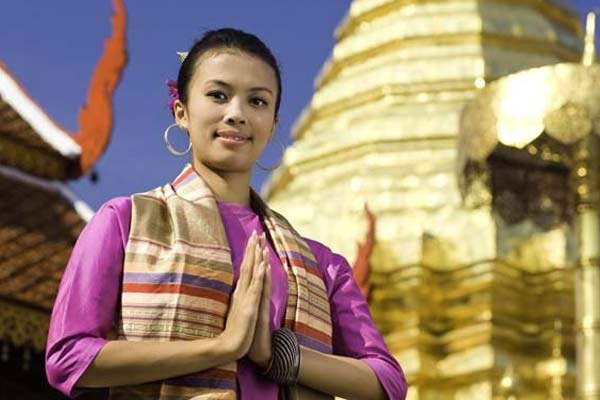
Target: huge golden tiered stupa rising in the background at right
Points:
(477, 239)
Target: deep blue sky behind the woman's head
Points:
(52, 48)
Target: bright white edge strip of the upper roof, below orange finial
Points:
(13, 95)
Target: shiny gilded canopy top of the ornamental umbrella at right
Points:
(561, 100)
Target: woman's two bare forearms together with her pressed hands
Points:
(247, 333)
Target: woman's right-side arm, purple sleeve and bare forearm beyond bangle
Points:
(362, 366)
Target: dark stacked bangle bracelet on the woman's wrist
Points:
(284, 365)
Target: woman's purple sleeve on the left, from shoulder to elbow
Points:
(86, 304)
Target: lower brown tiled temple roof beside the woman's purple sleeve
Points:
(39, 224)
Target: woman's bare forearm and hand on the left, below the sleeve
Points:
(126, 363)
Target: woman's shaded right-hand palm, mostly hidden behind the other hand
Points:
(260, 350)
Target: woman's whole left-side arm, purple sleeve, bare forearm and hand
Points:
(78, 354)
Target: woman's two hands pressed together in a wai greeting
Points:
(247, 326)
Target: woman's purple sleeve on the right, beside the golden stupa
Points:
(354, 332)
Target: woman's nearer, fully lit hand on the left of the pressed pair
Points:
(244, 304)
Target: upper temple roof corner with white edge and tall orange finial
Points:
(31, 141)
